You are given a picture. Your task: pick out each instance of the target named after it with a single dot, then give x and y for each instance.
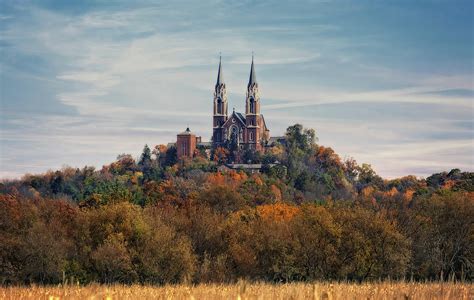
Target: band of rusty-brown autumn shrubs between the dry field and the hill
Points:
(48, 241)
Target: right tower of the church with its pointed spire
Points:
(252, 112)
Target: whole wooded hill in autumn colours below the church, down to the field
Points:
(308, 215)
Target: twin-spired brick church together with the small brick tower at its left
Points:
(236, 131)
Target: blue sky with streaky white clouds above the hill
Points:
(389, 83)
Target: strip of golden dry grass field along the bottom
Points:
(248, 291)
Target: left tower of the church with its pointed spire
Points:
(220, 108)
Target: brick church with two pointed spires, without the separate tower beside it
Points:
(241, 131)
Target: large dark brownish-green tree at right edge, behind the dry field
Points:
(443, 236)
